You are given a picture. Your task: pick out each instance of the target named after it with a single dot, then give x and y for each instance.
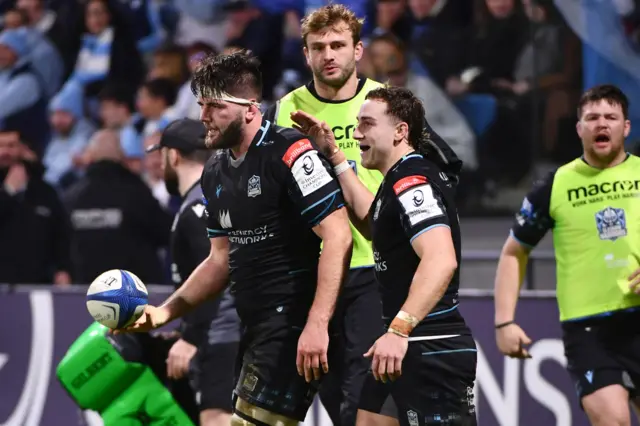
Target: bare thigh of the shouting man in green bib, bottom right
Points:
(608, 406)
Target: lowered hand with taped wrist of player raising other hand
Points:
(387, 354)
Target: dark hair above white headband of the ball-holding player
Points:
(237, 73)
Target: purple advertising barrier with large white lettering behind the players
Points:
(40, 323)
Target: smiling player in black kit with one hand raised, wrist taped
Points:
(428, 351)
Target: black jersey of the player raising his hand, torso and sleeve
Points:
(415, 196)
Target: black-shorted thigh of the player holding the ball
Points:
(269, 378)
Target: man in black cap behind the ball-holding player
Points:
(206, 351)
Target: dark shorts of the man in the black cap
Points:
(213, 377)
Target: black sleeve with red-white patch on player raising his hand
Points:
(421, 205)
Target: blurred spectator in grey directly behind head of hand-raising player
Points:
(390, 62)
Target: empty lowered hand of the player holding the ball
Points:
(311, 360)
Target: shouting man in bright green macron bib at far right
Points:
(592, 205)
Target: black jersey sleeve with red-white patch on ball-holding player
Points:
(311, 182)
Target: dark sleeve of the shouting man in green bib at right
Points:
(533, 220)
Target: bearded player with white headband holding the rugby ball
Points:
(271, 200)
